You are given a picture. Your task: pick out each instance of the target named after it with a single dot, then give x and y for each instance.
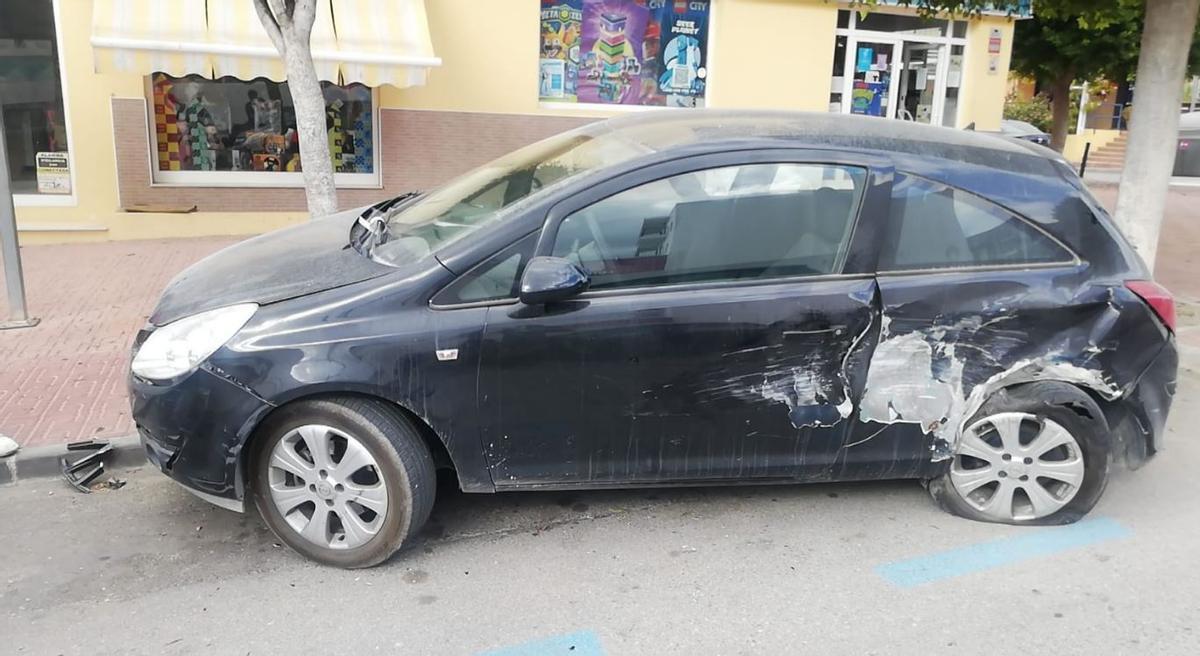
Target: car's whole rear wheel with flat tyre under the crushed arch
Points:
(1043, 413)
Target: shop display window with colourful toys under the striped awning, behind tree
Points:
(206, 130)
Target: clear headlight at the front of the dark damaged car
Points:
(179, 347)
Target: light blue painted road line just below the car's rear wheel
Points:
(998, 553)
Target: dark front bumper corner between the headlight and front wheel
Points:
(195, 430)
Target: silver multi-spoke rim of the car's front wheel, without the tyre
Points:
(328, 488)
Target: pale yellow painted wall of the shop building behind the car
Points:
(770, 55)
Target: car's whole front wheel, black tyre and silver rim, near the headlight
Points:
(326, 509)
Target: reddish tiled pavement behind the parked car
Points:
(65, 380)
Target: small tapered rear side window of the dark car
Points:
(934, 226)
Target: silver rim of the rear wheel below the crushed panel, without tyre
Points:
(1017, 466)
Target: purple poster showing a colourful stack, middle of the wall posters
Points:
(611, 65)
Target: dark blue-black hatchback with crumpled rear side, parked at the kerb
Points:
(697, 298)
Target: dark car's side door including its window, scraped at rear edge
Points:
(725, 335)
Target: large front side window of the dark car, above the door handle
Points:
(754, 221)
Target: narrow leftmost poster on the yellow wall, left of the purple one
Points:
(561, 26)
